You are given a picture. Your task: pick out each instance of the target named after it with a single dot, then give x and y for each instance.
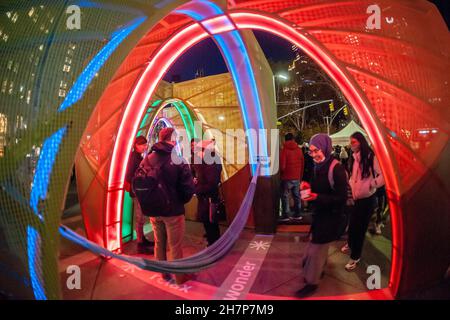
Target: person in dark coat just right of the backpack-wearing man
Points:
(207, 179)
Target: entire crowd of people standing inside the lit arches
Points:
(343, 186)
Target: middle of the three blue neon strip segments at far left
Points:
(44, 168)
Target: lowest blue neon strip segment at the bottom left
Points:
(34, 263)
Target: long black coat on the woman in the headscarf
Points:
(330, 204)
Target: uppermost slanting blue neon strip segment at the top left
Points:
(82, 83)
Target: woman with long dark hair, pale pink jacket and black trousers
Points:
(365, 178)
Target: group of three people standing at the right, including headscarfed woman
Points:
(343, 185)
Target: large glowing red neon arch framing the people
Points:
(346, 78)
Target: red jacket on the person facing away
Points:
(291, 161)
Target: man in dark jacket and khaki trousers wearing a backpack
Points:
(176, 179)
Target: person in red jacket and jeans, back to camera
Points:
(291, 167)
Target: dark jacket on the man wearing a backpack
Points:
(177, 176)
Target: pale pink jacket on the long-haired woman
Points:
(364, 188)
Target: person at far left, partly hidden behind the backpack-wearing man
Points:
(140, 145)
